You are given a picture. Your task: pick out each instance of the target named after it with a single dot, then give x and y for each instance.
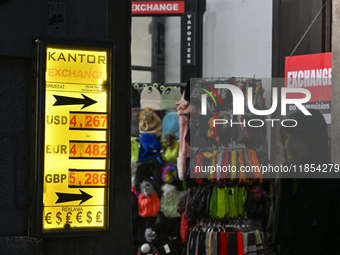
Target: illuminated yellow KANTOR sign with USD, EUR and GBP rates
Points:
(76, 141)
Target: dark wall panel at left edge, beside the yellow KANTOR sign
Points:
(15, 96)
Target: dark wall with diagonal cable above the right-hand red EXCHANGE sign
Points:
(291, 20)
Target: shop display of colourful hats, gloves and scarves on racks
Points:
(221, 211)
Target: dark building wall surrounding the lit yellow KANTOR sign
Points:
(22, 23)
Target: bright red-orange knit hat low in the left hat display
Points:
(148, 206)
